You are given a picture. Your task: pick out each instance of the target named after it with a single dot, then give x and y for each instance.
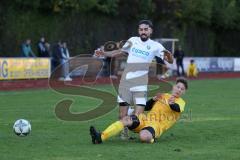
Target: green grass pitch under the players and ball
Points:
(209, 129)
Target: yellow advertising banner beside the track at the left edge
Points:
(24, 68)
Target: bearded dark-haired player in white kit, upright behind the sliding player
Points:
(134, 80)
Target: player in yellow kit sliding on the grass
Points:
(164, 110)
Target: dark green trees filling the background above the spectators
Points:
(205, 28)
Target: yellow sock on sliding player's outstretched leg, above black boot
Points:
(112, 130)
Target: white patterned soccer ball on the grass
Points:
(22, 127)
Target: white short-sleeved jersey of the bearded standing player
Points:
(140, 53)
